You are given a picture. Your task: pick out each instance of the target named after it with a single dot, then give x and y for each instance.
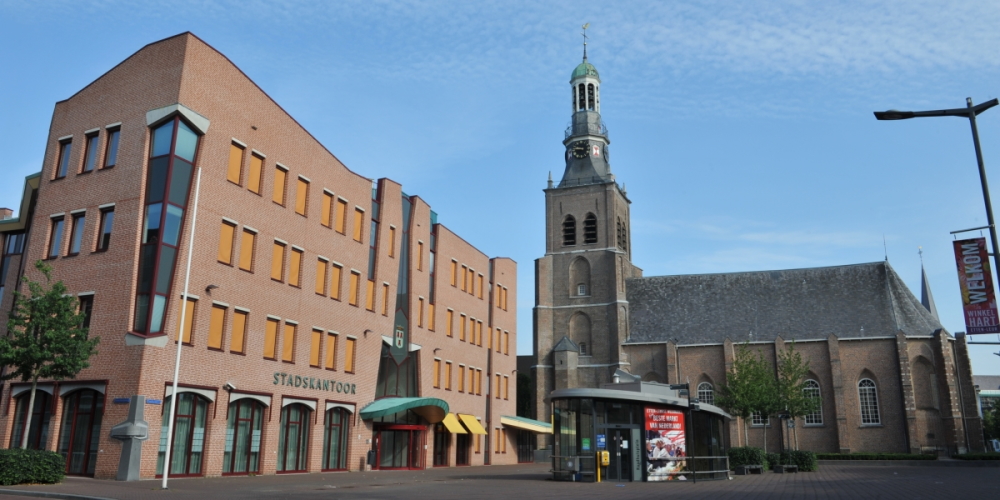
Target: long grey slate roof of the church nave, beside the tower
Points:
(860, 300)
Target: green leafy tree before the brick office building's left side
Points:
(45, 337)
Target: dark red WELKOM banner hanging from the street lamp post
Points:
(975, 279)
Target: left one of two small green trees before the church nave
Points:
(749, 388)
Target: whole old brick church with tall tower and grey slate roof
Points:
(889, 376)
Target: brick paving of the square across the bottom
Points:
(532, 481)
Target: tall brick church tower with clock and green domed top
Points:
(581, 312)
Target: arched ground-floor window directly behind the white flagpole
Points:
(188, 435)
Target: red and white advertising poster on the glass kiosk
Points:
(666, 448)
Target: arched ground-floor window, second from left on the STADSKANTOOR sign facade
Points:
(243, 430)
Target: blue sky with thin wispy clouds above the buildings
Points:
(742, 131)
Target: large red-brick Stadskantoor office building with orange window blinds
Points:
(328, 314)
